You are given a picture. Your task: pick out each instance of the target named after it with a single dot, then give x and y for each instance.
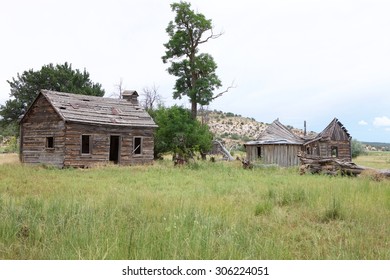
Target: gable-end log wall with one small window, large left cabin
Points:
(41, 122)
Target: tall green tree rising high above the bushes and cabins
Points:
(195, 72)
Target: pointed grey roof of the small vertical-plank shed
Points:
(277, 133)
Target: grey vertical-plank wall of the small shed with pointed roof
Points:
(283, 155)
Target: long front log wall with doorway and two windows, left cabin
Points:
(100, 144)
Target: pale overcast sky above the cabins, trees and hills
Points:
(293, 60)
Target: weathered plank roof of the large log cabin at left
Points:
(97, 110)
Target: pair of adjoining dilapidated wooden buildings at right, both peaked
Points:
(278, 145)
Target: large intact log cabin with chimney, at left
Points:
(71, 130)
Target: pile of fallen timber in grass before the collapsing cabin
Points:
(335, 166)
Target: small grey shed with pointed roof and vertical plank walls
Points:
(275, 145)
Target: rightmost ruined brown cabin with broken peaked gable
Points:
(333, 141)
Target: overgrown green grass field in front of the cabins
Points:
(201, 211)
